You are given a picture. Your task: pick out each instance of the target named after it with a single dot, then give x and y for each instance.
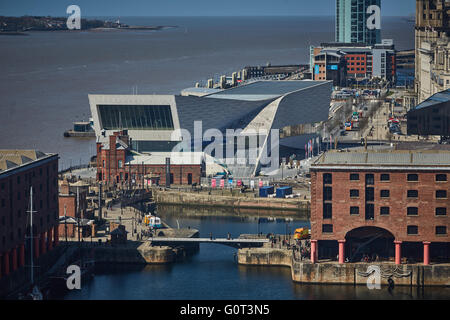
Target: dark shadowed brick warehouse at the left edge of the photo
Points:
(20, 170)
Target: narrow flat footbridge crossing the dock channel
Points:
(235, 243)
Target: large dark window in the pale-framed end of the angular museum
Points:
(135, 117)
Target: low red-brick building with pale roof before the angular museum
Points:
(117, 163)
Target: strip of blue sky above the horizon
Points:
(191, 7)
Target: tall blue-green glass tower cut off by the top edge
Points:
(355, 21)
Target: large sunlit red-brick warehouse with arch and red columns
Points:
(386, 203)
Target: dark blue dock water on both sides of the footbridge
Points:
(213, 274)
